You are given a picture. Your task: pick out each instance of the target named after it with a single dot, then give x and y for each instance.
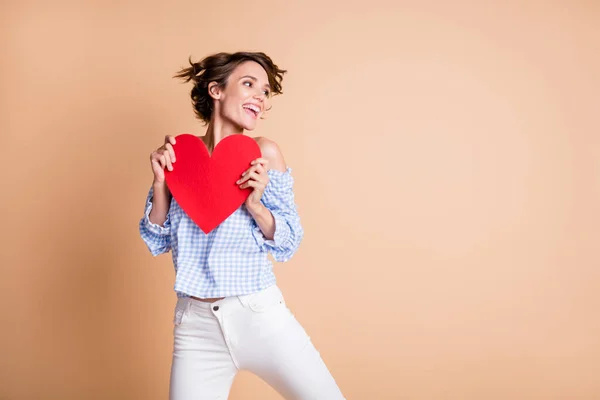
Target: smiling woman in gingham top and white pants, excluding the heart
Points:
(230, 315)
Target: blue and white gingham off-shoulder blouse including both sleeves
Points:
(232, 259)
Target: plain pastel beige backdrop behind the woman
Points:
(447, 173)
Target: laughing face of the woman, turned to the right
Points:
(245, 97)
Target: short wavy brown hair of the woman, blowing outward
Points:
(217, 68)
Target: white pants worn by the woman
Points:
(255, 332)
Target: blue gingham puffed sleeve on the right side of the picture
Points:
(279, 199)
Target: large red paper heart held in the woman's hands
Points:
(204, 185)
